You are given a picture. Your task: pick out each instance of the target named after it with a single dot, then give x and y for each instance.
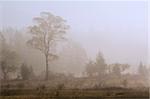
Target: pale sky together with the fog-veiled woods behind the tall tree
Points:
(116, 29)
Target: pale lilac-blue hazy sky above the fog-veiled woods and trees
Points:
(117, 29)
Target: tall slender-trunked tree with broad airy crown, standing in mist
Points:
(48, 29)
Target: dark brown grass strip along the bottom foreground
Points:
(75, 94)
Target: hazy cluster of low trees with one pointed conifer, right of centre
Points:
(101, 68)
